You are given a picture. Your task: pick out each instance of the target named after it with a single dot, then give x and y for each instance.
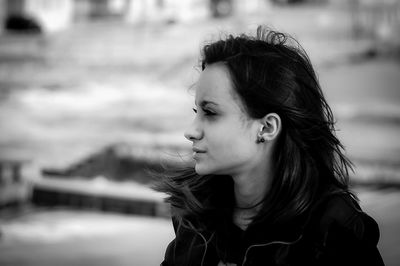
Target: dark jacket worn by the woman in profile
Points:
(336, 233)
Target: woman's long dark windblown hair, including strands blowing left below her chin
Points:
(272, 74)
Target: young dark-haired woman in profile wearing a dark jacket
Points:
(269, 185)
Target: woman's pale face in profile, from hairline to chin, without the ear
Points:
(224, 137)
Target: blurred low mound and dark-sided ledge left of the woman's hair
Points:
(115, 179)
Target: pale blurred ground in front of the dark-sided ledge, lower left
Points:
(72, 238)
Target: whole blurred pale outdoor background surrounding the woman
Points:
(94, 92)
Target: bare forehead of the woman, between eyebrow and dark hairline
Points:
(215, 85)
